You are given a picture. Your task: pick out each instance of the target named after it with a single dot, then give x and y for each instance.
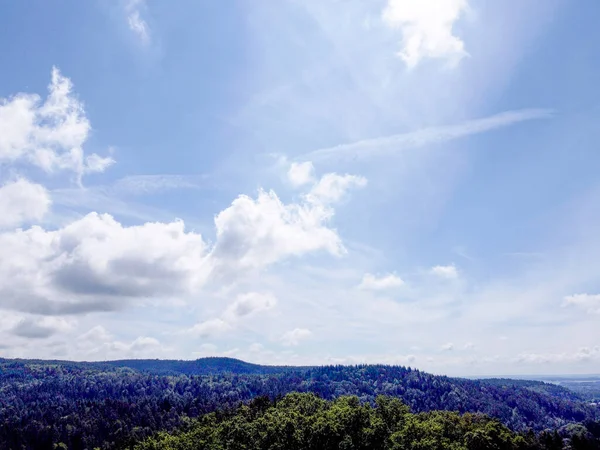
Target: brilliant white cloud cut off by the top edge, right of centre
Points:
(427, 28)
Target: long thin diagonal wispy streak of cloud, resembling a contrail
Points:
(369, 148)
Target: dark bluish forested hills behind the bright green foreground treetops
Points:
(110, 404)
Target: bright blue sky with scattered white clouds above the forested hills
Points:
(302, 182)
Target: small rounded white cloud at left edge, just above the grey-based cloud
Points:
(22, 201)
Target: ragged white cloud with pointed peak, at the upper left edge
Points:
(49, 135)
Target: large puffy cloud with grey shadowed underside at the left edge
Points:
(95, 263)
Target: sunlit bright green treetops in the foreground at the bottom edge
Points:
(305, 422)
